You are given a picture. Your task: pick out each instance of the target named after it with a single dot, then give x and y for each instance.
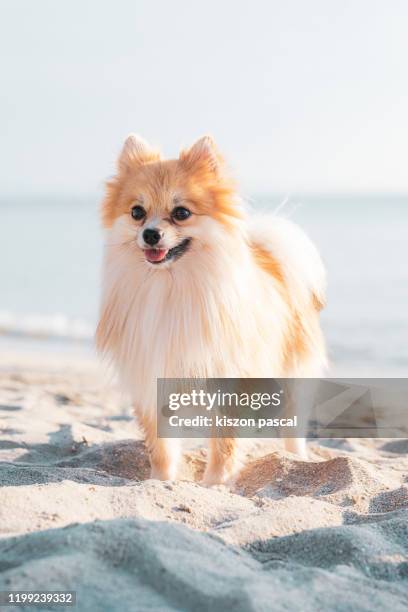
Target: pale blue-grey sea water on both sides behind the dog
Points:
(51, 257)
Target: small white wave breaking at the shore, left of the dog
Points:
(58, 326)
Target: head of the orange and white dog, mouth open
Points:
(163, 209)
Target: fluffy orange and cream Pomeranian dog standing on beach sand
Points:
(195, 286)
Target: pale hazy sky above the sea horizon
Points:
(301, 95)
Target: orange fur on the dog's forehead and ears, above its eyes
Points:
(198, 176)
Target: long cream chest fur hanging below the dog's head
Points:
(207, 321)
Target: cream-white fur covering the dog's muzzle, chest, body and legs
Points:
(213, 313)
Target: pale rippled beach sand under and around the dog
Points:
(78, 512)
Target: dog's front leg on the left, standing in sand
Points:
(164, 453)
